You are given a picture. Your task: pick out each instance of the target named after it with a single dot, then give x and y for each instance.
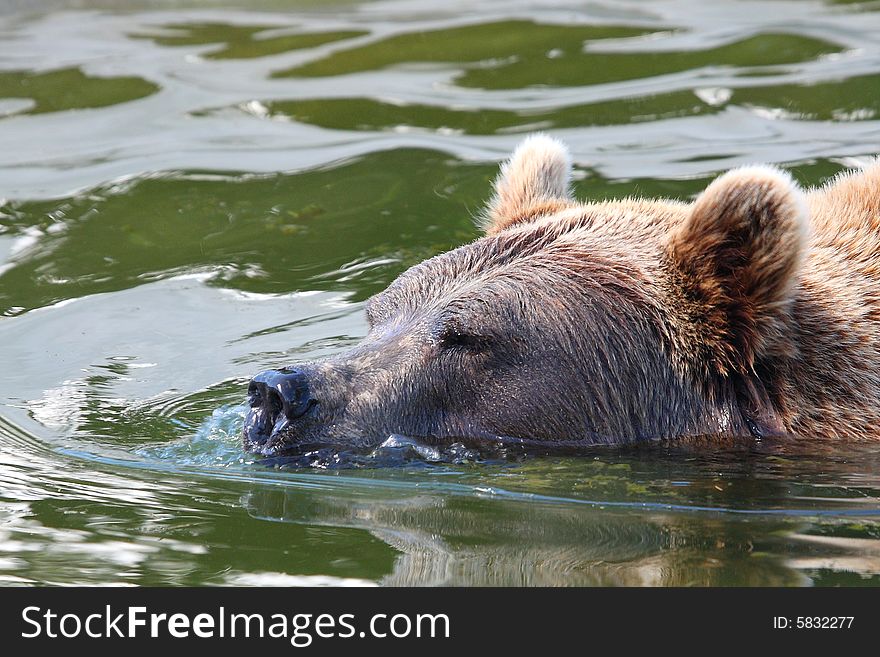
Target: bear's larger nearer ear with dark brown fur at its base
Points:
(733, 265)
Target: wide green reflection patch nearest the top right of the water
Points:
(519, 54)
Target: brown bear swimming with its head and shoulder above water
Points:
(753, 311)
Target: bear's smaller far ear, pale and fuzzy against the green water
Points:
(532, 183)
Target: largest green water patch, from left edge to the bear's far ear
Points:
(266, 234)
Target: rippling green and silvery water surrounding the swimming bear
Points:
(193, 194)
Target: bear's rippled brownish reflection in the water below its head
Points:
(449, 541)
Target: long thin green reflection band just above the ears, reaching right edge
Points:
(854, 99)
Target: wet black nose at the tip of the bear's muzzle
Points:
(277, 399)
